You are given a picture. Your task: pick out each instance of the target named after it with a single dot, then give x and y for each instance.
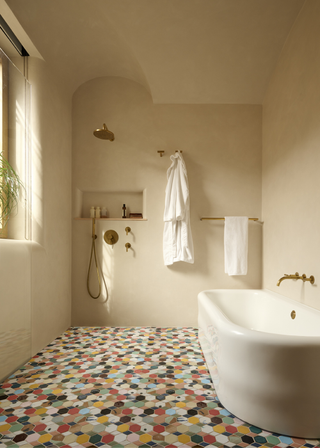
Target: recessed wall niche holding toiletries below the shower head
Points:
(113, 200)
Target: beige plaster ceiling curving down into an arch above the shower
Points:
(182, 51)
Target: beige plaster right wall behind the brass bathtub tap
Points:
(291, 162)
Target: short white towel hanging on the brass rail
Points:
(236, 245)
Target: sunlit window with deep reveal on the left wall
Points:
(14, 144)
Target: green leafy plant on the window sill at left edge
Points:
(10, 185)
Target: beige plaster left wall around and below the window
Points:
(35, 293)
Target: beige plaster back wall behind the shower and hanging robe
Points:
(221, 145)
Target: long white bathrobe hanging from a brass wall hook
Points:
(177, 237)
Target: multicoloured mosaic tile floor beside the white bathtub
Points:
(124, 388)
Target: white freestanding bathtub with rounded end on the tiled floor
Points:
(265, 364)
